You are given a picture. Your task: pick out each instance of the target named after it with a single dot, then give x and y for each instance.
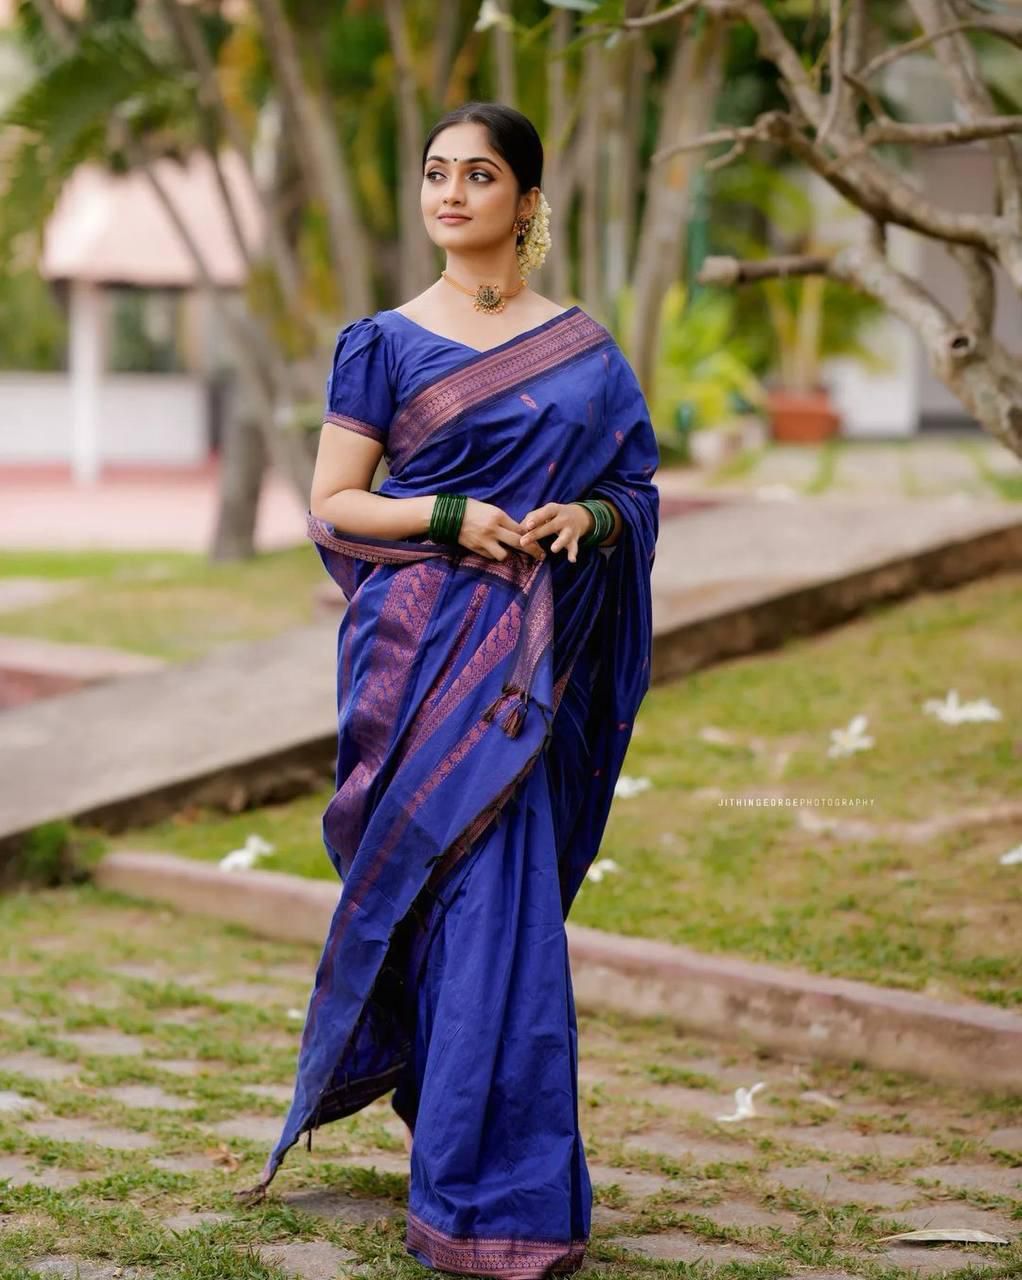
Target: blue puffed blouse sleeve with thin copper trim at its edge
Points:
(359, 390)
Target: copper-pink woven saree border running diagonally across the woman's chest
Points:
(486, 377)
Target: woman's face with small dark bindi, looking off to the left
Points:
(466, 176)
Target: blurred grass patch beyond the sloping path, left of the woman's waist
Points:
(167, 606)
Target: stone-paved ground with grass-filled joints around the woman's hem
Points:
(145, 1062)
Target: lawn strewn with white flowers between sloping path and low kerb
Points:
(939, 916)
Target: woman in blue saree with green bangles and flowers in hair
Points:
(491, 662)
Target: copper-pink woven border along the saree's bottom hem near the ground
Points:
(508, 1256)
